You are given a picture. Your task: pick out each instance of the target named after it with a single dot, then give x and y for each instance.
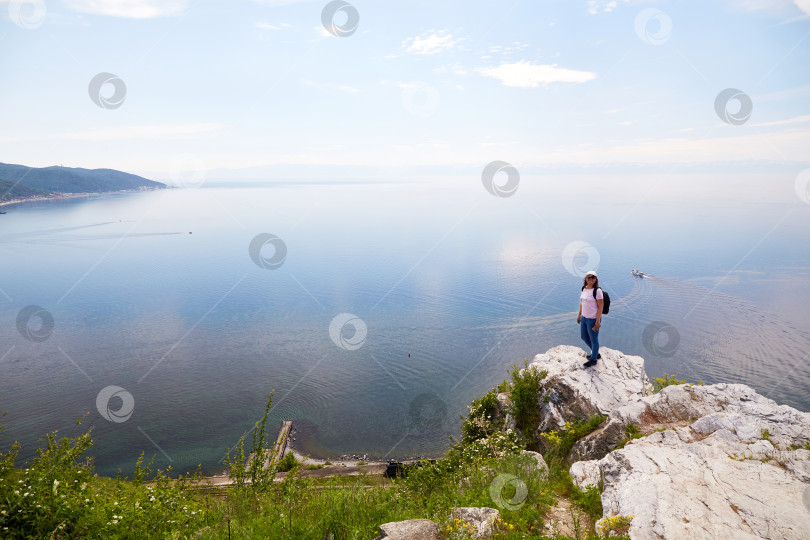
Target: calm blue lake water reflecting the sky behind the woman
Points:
(157, 294)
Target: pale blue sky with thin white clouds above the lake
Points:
(212, 86)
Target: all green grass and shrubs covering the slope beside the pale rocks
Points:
(57, 496)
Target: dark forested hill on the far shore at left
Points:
(21, 182)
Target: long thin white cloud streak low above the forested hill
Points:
(147, 131)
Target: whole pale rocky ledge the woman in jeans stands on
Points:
(714, 461)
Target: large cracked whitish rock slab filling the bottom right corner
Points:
(680, 485)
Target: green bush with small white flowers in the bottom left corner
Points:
(58, 496)
